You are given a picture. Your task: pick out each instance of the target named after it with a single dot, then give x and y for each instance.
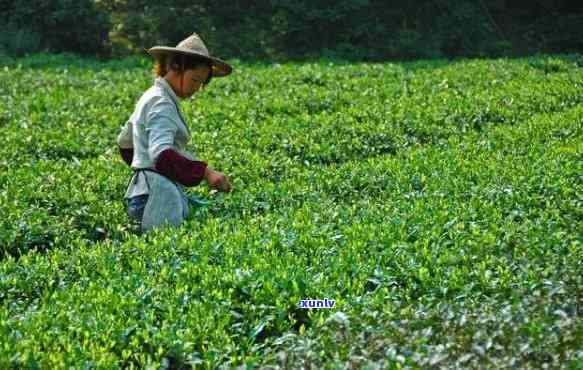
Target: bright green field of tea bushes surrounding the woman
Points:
(438, 203)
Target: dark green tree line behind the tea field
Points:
(363, 29)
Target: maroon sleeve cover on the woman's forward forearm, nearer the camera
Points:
(179, 168)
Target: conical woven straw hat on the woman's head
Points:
(193, 46)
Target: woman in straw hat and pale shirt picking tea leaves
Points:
(153, 140)
